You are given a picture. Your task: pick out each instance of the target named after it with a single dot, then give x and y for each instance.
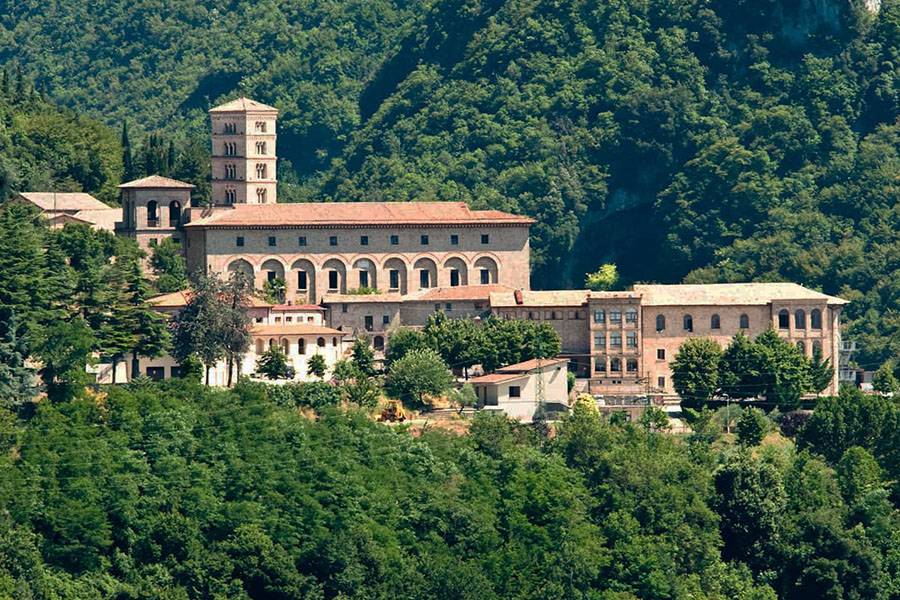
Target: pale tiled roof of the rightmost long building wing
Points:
(729, 293)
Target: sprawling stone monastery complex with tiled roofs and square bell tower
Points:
(367, 268)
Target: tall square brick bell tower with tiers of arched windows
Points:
(243, 153)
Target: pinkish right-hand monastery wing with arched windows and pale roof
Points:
(626, 345)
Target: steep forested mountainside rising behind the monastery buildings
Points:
(676, 138)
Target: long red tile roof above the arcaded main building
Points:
(357, 214)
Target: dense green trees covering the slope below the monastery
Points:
(178, 491)
